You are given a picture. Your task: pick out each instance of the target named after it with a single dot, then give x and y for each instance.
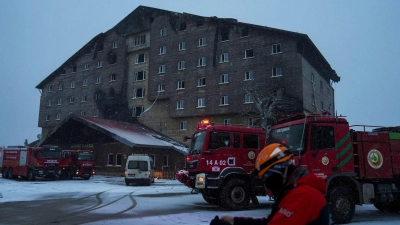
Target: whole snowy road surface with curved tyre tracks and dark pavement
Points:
(106, 200)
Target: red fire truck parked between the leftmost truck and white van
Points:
(77, 163)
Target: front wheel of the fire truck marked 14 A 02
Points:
(235, 195)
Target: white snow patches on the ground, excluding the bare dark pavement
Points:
(11, 190)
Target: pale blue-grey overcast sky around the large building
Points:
(359, 38)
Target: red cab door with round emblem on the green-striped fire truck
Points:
(321, 159)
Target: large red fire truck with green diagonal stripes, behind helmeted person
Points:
(360, 167)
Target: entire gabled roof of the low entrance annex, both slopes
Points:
(130, 134)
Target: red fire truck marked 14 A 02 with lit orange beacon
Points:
(219, 161)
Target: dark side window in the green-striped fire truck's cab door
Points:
(322, 137)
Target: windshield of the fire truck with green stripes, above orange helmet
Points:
(290, 135)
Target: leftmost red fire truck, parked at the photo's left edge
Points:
(30, 162)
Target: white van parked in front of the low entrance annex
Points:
(139, 169)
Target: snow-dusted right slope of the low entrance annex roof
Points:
(130, 134)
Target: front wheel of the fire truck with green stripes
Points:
(342, 205)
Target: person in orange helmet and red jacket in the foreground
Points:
(299, 195)
